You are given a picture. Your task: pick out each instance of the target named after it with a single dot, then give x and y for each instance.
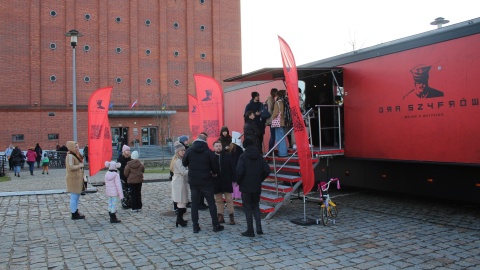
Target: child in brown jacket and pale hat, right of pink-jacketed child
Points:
(134, 174)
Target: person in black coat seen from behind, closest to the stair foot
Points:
(252, 169)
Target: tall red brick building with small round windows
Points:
(147, 50)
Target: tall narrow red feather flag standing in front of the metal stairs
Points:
(299, 129)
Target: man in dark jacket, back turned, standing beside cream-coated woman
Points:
(201, 164)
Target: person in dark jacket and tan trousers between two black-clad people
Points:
(223, 182)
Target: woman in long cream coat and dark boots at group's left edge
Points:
(179, 183)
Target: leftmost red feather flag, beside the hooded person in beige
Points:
(99, 137)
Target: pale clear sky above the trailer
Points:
(319, 29)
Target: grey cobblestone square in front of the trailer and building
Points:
(373, 231)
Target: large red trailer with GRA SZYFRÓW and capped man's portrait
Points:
(409, 114)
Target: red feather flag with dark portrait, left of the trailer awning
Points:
(210, 105)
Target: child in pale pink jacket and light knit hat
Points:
(113, 189)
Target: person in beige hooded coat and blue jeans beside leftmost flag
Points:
(74, 177)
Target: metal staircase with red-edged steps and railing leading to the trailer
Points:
(285, 179)
